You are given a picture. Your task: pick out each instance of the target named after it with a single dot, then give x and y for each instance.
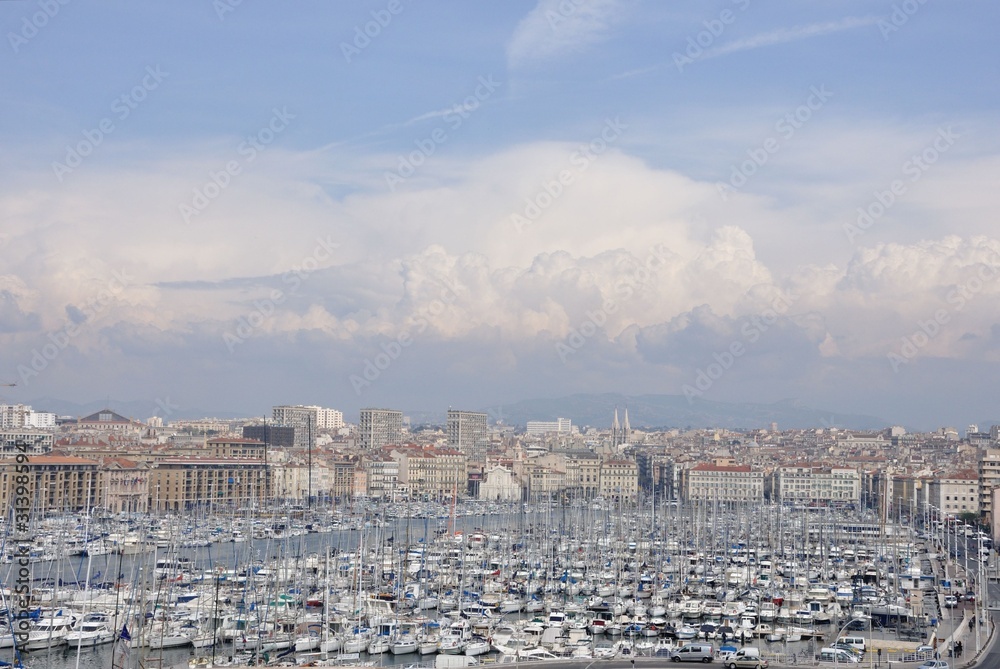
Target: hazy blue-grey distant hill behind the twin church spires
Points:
(675, 411)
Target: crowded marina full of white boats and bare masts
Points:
(383, 584)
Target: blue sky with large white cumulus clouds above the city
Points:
(484, 202)
